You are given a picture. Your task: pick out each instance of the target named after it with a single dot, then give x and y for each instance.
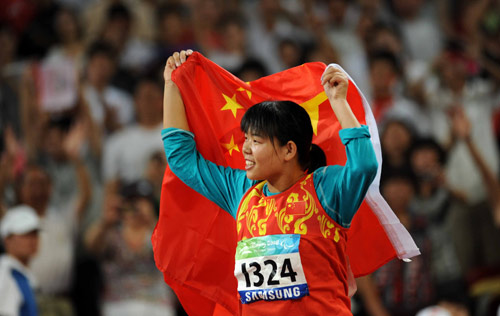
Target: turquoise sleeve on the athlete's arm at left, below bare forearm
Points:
(222, 185)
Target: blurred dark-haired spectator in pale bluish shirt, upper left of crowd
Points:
(111, 108)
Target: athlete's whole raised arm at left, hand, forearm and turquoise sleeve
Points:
(223, 185)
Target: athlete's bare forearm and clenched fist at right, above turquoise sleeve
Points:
(335, 82)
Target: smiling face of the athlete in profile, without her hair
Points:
(263, 157)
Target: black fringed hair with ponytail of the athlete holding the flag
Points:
(285, 121)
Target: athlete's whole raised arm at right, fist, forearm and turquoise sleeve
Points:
(341, 189)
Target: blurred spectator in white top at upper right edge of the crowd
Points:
(453, 88)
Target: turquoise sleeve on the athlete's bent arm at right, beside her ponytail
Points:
(341, 189)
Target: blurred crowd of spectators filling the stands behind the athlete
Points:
(81, 113)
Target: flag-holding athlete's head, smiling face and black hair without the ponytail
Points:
(278, 138)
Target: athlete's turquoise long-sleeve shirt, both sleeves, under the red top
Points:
(340, 189)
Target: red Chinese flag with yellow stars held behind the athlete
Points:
(194, 241)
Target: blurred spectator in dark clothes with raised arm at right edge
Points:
(477, 231)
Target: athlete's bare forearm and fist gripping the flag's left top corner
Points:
(174, 114)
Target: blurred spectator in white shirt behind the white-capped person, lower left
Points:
(53, 264)
